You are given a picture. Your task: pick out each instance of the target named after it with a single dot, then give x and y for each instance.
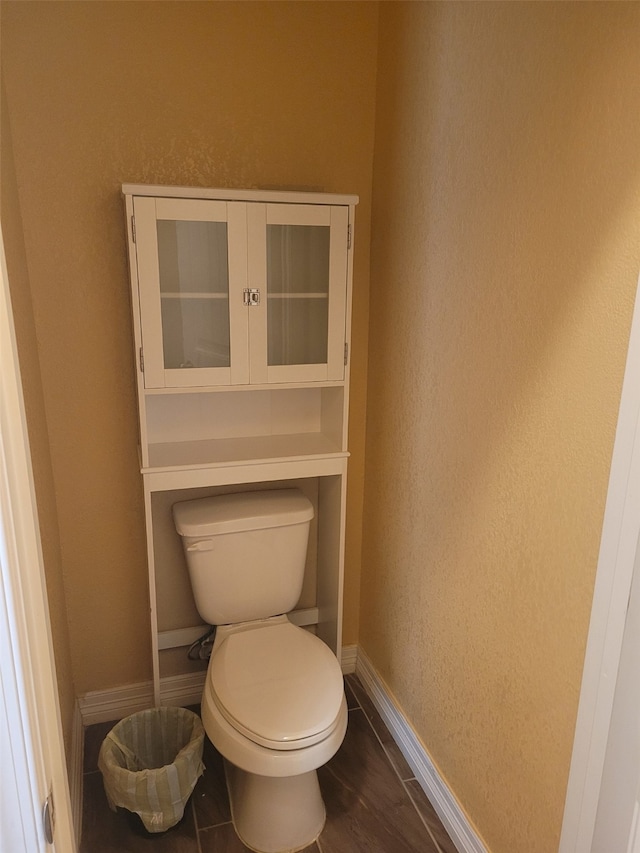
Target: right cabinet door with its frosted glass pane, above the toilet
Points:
(302, 266)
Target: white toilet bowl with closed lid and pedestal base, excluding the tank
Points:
(272, 749)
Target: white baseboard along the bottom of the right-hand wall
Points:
(449, 810)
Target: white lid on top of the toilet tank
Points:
(219, 514)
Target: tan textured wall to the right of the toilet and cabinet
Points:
(505, 256)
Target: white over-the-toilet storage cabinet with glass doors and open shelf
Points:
(241, 312)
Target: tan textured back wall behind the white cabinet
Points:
(210, 94)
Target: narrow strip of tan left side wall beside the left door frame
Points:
(13, 240)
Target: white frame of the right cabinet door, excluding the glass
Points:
(336, 217)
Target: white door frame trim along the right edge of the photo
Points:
(616, 560)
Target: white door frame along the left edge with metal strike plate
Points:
(33, 761)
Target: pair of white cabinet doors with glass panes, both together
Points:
(235, 292)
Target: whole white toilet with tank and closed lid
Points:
(273, 703)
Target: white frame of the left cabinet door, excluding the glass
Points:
(147, 212)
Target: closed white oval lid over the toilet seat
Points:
(279, 685)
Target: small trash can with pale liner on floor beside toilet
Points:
(150, 763)
